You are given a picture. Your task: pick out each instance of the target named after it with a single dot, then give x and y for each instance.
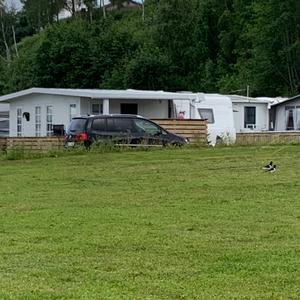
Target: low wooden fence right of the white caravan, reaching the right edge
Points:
(268, 137)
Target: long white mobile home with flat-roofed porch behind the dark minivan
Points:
(36, 111)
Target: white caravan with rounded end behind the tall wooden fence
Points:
(218, 111)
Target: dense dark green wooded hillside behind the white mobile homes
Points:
(197, 45)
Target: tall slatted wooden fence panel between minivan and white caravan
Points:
(194, 130)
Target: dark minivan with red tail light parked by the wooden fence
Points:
(122, 129)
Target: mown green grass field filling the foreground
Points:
(163, 224)
